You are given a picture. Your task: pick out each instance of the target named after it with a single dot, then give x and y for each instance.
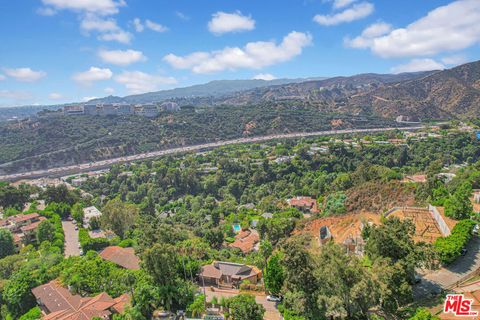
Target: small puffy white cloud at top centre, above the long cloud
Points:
(223, 22)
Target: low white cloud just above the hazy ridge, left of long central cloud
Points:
(139, 82)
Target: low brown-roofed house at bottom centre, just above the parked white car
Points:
(228, 274)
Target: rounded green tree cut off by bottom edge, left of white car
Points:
(244, 307)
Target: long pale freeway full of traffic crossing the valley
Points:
(92, 166)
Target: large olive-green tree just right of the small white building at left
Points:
(119, 216)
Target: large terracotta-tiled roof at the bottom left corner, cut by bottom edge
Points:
(57, 303)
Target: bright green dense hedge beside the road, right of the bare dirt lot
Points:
(450, 248)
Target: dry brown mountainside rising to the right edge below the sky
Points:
(453, 93)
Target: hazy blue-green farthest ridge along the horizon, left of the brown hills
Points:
(211, 89)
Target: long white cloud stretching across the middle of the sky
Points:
(254, 55)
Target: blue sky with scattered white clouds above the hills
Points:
(56, 51)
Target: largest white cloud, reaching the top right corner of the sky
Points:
(447, 28)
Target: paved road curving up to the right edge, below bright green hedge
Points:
(448, 277)
